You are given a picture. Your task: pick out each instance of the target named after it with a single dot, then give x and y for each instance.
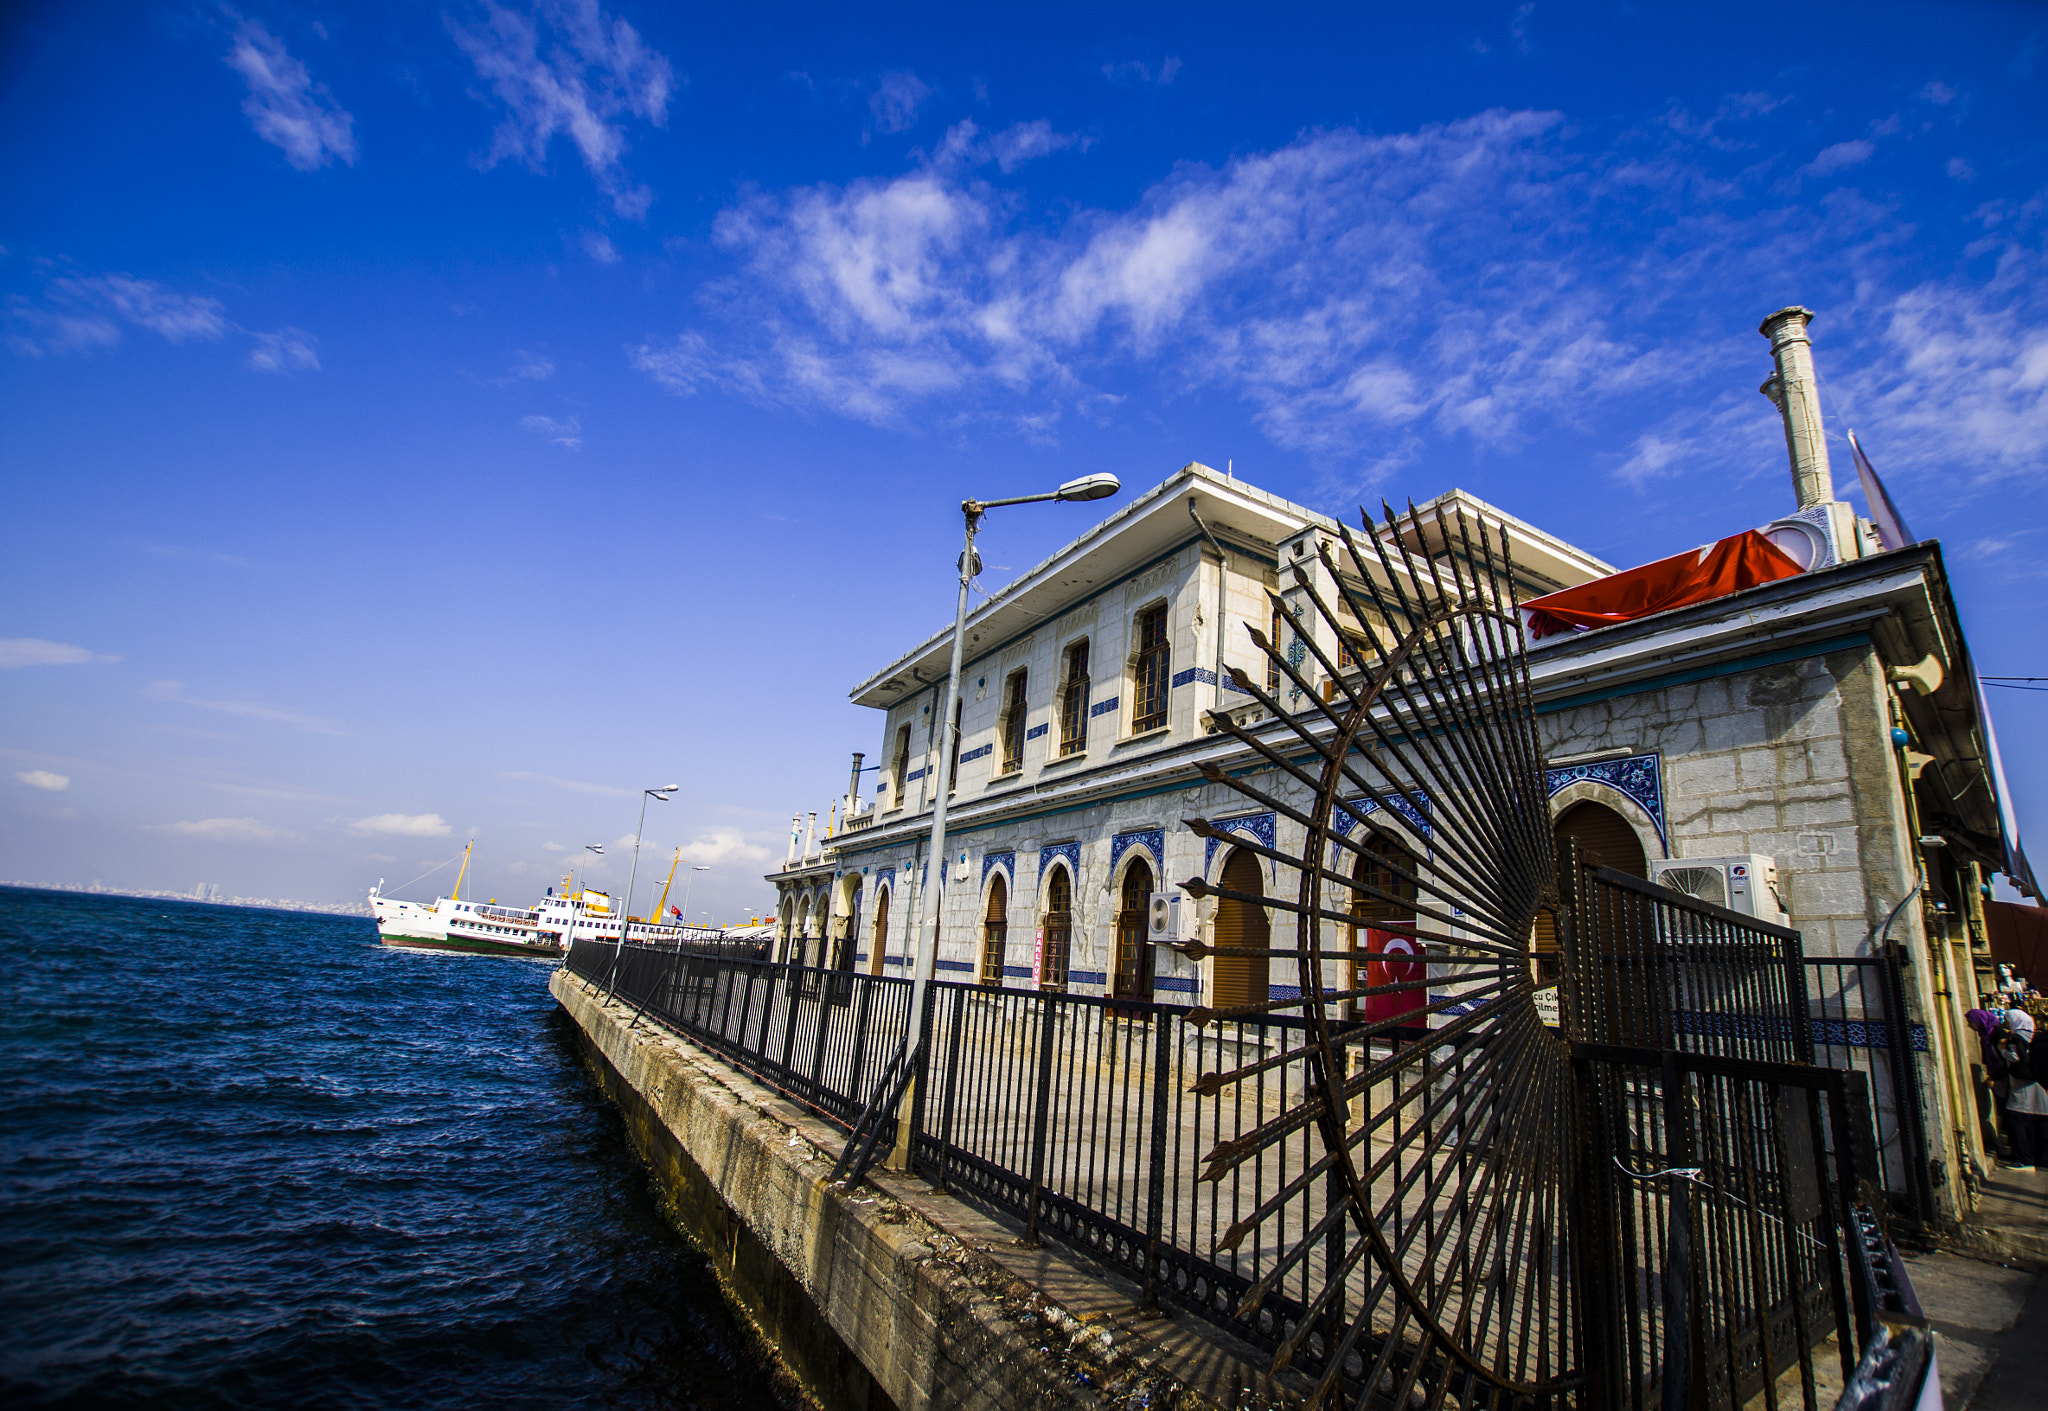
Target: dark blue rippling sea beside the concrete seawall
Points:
(257, 1160)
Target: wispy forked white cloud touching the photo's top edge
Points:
(589, 77)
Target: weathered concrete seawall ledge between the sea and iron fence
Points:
(892, 1295)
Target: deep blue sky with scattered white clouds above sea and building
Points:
(425, 423)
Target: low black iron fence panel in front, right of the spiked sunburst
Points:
(1730, 1269)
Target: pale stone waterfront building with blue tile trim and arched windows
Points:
(1826, 724)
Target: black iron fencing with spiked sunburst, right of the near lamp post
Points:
(1504, 1142)
